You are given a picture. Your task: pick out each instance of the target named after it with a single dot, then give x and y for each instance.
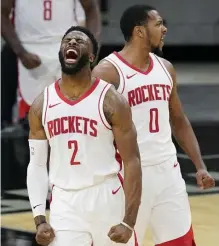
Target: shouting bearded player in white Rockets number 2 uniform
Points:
(79, 117)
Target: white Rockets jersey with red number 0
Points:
(148, 95)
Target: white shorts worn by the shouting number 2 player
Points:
(84, 217)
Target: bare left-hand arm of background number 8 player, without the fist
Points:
(8, 32)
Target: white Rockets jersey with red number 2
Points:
(81, 140)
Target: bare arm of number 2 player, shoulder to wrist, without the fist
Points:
(118, 114)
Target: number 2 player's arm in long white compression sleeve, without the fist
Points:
(37, 177)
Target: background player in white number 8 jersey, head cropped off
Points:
(36, 37)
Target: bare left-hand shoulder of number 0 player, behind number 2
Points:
(107, 72)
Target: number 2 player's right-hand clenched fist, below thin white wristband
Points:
(120, 234)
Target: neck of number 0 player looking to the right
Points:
(136, 54)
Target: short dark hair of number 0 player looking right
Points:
(135, 15)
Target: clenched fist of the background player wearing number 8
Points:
(30, 60)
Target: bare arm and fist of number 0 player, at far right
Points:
(184, 134)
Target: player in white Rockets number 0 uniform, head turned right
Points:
(149, 84)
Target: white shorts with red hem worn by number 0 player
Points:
(164, 206)
